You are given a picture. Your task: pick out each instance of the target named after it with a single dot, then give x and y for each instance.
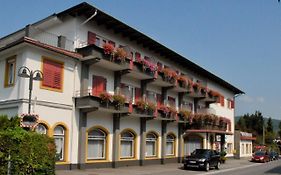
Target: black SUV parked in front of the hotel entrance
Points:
(202, 158)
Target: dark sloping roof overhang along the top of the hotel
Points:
(87, 10)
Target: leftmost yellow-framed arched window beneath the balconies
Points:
(96, 144)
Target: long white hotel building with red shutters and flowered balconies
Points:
(172, 106)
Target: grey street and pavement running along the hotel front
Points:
(232, 167)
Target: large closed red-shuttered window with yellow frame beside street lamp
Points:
(53, 74)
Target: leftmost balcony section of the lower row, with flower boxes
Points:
(91, 103)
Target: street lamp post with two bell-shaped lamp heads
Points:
(25, 72)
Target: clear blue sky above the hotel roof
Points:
(238, 40)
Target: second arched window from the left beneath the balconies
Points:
(127, 144)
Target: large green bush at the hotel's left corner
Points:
(30, 152)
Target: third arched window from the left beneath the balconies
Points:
(151, 145)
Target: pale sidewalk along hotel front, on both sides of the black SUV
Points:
(171, 168)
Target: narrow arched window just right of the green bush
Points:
(59, 136)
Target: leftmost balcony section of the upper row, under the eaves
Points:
(96, 55)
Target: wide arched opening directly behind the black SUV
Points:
(192, 142)
